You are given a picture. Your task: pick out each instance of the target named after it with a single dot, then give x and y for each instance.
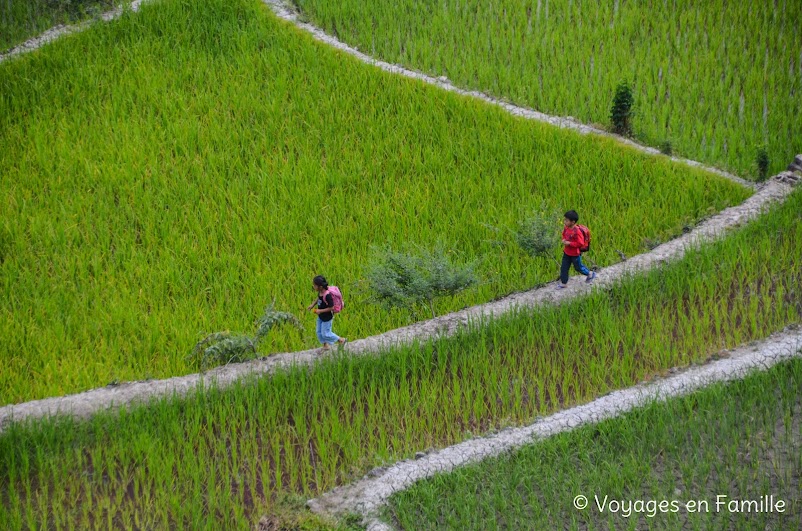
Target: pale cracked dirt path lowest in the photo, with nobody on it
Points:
(368, 495)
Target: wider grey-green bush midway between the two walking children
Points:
(416, 276)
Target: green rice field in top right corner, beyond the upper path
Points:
(713, 81)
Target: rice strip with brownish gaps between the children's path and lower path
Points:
(220, 458)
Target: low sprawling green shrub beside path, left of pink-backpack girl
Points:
(222, 348)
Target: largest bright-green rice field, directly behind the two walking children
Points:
(167, 175)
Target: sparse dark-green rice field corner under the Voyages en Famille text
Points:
(727, 457)
